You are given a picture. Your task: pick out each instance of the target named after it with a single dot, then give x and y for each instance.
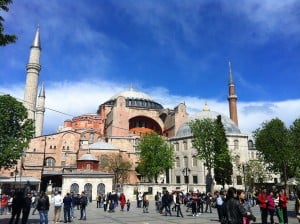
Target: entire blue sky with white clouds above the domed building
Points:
(175, 51)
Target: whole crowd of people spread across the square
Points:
(233, 206)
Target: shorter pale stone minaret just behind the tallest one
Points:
(40, 110)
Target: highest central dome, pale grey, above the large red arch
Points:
(135, 99)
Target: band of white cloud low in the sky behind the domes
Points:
(68, 99)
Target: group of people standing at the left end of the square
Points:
(19, 206)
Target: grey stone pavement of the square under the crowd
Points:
(136, 216)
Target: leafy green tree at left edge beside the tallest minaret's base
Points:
(15, 130)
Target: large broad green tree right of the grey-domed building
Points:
(272, 141)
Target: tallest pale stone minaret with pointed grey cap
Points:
(33, 68)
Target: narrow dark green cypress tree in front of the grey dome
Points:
(223, 167)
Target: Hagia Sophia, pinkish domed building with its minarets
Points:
(72, 158)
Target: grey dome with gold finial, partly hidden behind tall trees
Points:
(229, 126)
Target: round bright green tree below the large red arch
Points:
(156, 156)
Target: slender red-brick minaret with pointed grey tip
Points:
(232, 98)
